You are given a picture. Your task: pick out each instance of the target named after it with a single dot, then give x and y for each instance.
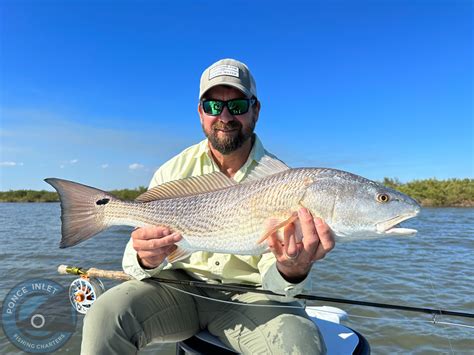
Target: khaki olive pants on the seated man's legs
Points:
(131, 315)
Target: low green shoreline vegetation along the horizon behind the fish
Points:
(429, 192)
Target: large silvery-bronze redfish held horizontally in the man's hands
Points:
(214, 213)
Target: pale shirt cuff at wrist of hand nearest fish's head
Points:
(273, 281)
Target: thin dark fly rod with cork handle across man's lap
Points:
(119, 275)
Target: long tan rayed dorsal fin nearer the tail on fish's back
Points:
(189, 186)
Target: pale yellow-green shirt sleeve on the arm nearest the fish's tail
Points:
(130, 264)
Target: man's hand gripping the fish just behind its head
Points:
(294, 260)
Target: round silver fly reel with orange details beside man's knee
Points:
(84, 291)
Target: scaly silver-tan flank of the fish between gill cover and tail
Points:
(227, 220)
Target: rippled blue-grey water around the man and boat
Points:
(433, 269)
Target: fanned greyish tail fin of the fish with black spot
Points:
(82, 211)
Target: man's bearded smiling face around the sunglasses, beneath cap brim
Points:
(227, 132)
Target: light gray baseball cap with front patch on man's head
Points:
(229, 72)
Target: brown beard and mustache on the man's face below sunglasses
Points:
(231, 142)
